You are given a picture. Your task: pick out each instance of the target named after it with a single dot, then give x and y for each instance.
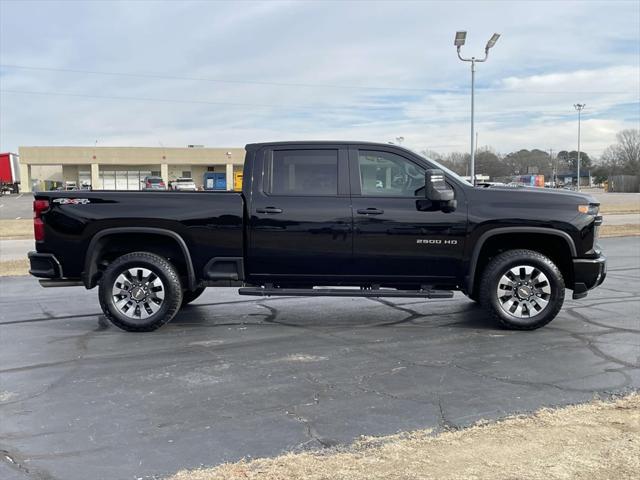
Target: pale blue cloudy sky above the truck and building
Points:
(172, 73)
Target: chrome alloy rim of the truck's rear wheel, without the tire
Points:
(138, 293)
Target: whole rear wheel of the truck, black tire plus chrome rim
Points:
(163, 280)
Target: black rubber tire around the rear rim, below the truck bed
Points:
(161, 268)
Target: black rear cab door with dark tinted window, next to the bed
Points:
(300, 214)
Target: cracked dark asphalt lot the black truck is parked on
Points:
(234, 376)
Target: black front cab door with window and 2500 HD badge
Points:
(395, 237)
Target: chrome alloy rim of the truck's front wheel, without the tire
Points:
(523, 291)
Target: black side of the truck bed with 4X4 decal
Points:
(209, 223)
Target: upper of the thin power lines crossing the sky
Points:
(294, 84)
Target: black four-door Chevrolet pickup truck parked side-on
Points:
(324, 219)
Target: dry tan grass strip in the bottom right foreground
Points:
(596, 441)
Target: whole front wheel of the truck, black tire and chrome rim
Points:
(517, 309)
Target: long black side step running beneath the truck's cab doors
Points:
(270, 291)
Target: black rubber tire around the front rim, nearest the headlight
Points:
(500, 265)
